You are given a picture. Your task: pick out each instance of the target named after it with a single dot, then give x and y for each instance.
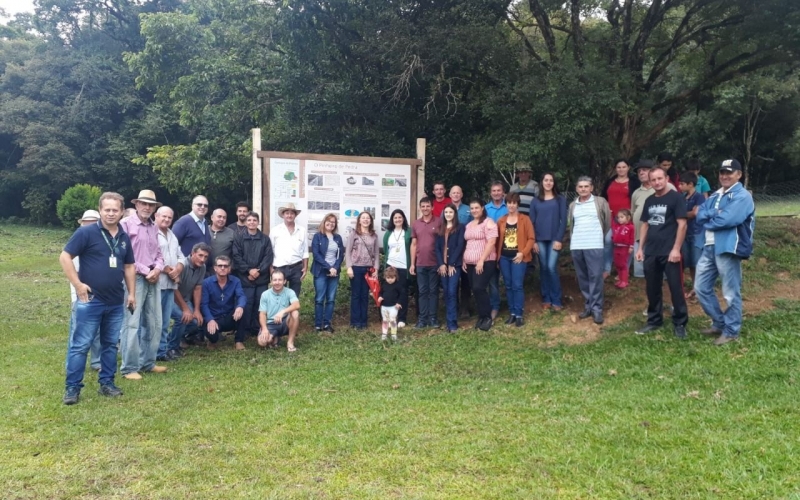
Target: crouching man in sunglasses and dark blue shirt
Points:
(222, 302)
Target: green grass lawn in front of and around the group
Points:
(437, 416)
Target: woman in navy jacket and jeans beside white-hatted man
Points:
(328, 251)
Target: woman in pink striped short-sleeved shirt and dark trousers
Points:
(480, 259)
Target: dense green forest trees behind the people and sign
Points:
(162, 94)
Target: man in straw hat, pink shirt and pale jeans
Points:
(139, 349)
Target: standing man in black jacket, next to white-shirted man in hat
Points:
(252, 260)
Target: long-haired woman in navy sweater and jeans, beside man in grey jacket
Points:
(549, 216)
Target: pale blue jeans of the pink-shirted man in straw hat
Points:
(140, 345)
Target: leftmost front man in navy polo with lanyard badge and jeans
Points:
(106, 258)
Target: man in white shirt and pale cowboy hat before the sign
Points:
(290, 247)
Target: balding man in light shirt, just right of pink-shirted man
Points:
(169, 279)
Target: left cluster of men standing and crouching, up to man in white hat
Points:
(152, 287)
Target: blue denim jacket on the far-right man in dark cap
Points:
(732, 218)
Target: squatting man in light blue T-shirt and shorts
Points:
(278, 313)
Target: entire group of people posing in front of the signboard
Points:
(132, 276)
